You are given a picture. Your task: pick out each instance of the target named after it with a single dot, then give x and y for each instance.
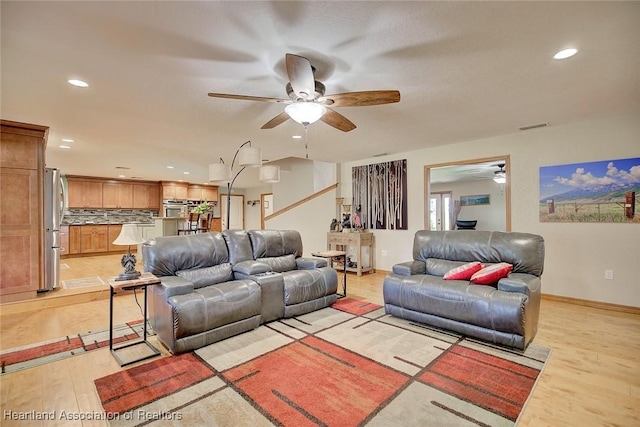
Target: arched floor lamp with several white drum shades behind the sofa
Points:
(247, 157)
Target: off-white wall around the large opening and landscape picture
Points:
(576, 253)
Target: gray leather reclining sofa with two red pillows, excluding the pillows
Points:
(505, 313)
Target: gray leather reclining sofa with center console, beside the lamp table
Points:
(216, 285)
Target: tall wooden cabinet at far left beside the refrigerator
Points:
(22, 148)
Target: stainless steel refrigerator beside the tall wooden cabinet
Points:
(54, 205)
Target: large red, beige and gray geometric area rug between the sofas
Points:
(348, 365)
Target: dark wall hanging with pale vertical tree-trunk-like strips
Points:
(380, 195)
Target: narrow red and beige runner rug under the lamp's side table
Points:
(24, 357)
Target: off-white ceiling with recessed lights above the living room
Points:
(465, 70)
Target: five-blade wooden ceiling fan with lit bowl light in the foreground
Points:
(307, 102)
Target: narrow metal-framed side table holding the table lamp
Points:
(142, 282)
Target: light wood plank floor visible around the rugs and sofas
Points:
(591, 379)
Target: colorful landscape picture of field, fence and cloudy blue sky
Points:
(604, 191)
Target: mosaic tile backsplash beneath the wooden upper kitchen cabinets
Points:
(108, 216)
